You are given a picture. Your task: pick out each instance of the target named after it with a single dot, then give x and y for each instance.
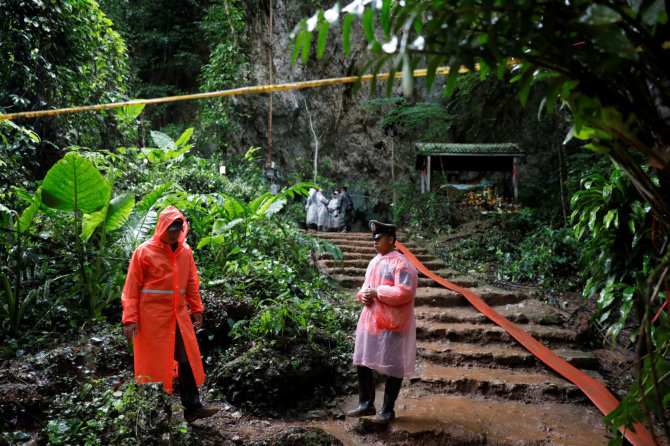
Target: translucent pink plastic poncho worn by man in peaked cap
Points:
(386, 332)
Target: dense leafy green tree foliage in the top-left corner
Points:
(86, 66)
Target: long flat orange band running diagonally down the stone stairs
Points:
(595, 391)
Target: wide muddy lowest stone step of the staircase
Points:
(510, 384)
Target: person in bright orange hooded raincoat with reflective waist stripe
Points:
(161, 288)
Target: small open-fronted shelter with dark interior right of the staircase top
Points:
(449, 167)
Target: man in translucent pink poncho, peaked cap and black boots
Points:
(386, 331)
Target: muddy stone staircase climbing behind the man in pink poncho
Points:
(474, 384)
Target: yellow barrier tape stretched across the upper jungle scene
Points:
(232, 92)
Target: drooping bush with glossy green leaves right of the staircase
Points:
(617, 255)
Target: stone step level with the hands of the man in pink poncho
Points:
(443, 297)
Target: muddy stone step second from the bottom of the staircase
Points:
(495, 355)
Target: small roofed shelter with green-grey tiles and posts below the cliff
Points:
(451, 159)
